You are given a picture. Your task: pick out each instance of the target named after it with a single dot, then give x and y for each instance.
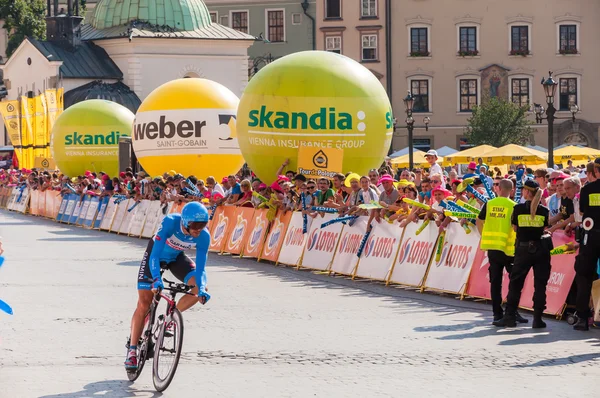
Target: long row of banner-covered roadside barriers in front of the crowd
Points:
(416, 256)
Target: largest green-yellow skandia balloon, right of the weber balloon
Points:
(317, 99)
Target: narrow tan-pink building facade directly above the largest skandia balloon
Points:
(355, 29)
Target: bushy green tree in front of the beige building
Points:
(499, 122)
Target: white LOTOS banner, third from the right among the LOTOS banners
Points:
(380, 251)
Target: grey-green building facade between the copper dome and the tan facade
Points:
(286, 26)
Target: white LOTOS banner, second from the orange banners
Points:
(321, 243)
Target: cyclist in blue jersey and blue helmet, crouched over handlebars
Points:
(177, 233)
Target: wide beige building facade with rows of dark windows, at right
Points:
(453, 55)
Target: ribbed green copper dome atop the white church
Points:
(181, 15)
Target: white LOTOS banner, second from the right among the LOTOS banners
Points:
(414, 254)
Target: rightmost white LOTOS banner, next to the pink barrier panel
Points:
(451, 272)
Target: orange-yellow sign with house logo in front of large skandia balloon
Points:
(316, 162)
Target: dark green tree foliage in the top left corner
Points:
(23, 18)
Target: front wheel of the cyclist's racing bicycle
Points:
(167, 351)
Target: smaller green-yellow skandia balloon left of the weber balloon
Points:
(86, 137)
